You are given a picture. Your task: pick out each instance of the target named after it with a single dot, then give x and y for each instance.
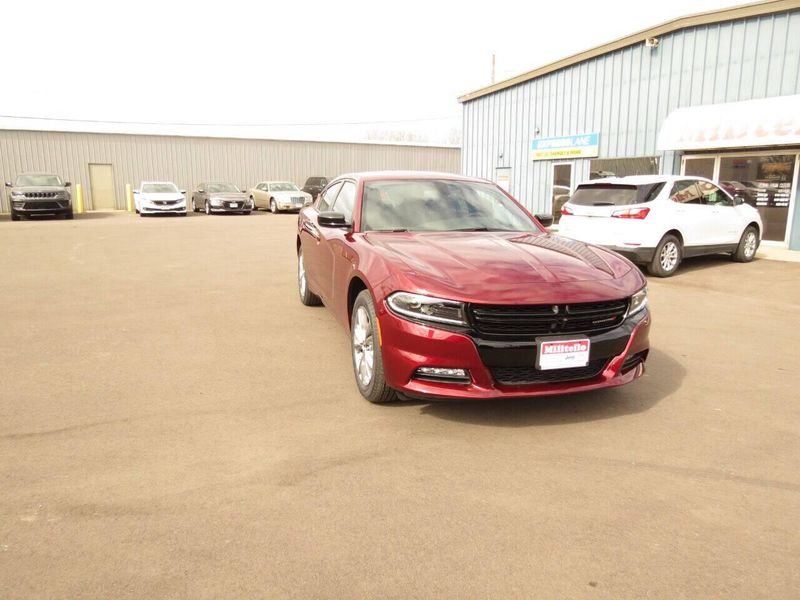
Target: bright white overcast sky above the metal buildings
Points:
(312, 63)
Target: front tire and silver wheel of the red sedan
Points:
(366, 352)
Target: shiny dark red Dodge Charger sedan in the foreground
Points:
(451, 289)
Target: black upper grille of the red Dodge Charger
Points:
(547, 319)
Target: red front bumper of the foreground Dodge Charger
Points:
(505, 369)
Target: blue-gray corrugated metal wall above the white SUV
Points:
(626, 95)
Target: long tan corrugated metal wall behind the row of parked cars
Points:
(189, 161)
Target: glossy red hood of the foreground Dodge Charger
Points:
(499, 267)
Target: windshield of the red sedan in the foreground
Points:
(429, 205)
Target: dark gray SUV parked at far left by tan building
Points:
(39, 194)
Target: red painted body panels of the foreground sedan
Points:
(498, 268)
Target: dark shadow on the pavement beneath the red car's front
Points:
(662, 378)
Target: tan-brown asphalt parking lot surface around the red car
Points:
(175, 424)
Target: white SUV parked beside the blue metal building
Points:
(658, 220)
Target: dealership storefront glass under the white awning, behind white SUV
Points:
(765, 180)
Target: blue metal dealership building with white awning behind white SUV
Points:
(715, 94)
